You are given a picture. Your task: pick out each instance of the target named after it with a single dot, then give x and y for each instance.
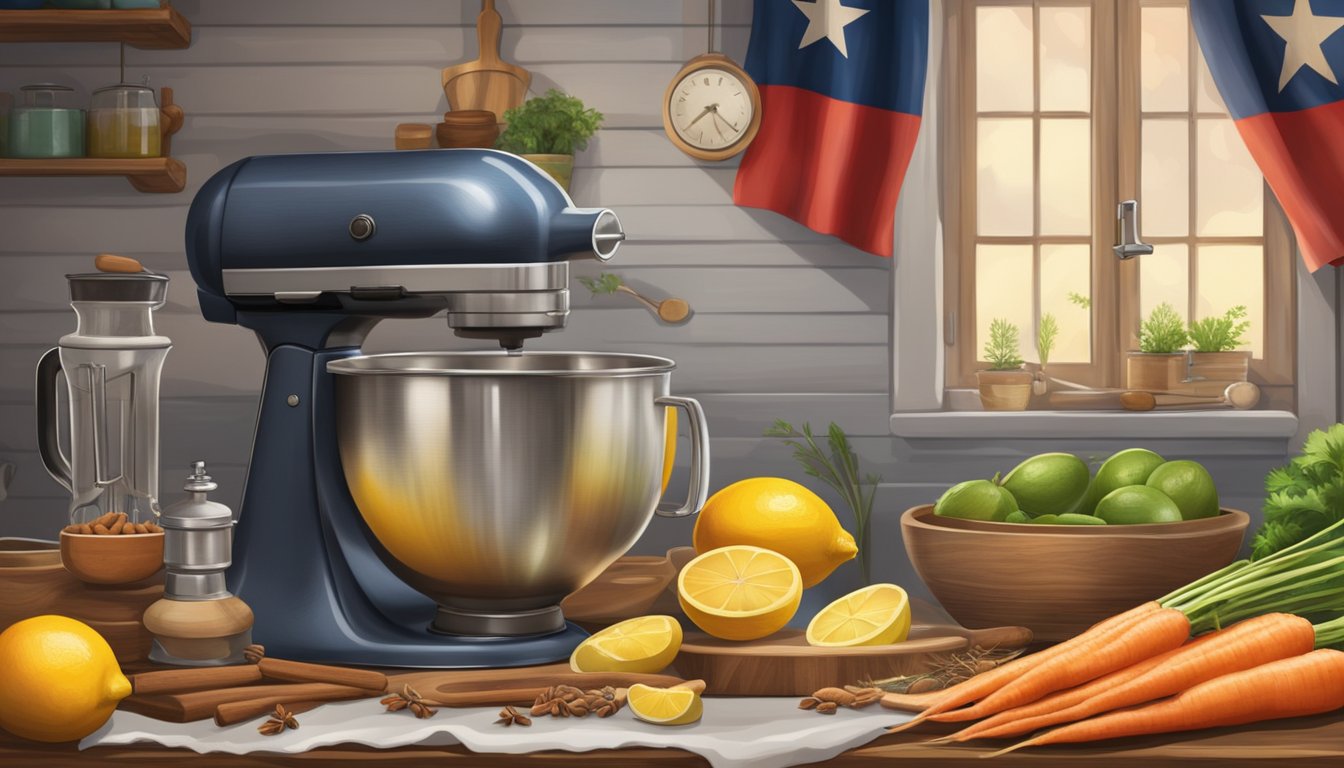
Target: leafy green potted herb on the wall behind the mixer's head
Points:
(548, 131)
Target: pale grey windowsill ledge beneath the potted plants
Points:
(1096, 424)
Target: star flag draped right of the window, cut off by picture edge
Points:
(1277, 65)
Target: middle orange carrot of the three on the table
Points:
(1243, 646)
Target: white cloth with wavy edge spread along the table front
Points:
(733, 734)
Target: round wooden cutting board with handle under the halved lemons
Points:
(786, 665)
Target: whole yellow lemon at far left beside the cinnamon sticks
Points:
(60, 680)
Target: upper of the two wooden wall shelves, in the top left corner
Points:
(147, 29)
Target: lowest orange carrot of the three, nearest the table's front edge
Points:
(1290, 688)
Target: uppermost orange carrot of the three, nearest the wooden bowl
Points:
(1151, 636)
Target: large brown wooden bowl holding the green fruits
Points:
(1060, 580)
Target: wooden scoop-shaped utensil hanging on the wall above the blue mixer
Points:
(487, 83)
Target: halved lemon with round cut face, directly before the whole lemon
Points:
(740, 592)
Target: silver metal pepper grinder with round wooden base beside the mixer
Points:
(198, 622)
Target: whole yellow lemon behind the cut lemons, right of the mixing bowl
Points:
(780, 516)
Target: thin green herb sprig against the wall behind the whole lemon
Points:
(841, 471)
